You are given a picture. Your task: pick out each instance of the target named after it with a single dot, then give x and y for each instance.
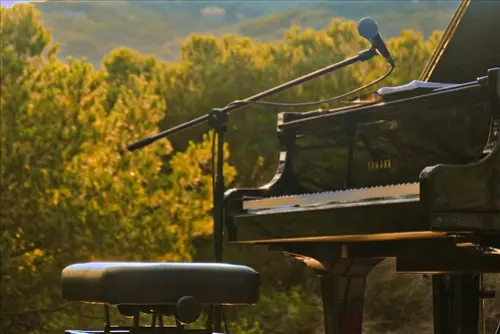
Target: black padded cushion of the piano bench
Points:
(137, 283)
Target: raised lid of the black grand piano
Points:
(469, 46)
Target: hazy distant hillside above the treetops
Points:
(92, 29)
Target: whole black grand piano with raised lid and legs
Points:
(413, 173)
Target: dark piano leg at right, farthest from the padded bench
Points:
(456, 301)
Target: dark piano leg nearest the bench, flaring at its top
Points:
(343, 291)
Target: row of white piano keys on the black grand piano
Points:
(408, 190)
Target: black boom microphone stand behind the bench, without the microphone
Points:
(217, 119)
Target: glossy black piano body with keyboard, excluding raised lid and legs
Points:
(420, 167)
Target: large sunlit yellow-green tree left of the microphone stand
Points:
(70, 190)
